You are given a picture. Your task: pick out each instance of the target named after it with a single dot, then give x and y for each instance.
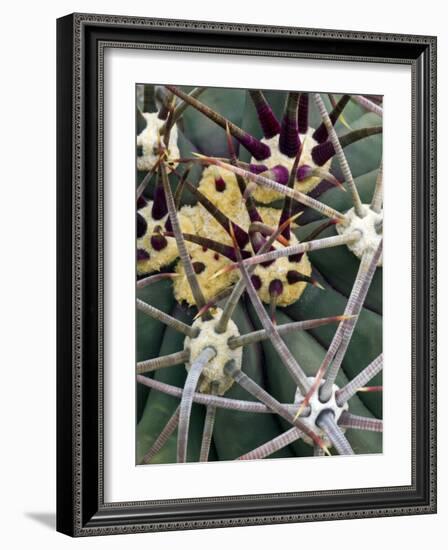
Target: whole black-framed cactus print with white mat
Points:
(246, 274)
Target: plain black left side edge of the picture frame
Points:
(64, 174)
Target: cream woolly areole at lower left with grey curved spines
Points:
(213, 378)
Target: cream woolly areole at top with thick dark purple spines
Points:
(265, 195)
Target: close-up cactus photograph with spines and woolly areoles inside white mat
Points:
(259, 274)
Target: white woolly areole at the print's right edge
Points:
(370, 238)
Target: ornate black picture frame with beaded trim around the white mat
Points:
(81, 506)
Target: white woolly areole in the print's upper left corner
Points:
(149, 140)
